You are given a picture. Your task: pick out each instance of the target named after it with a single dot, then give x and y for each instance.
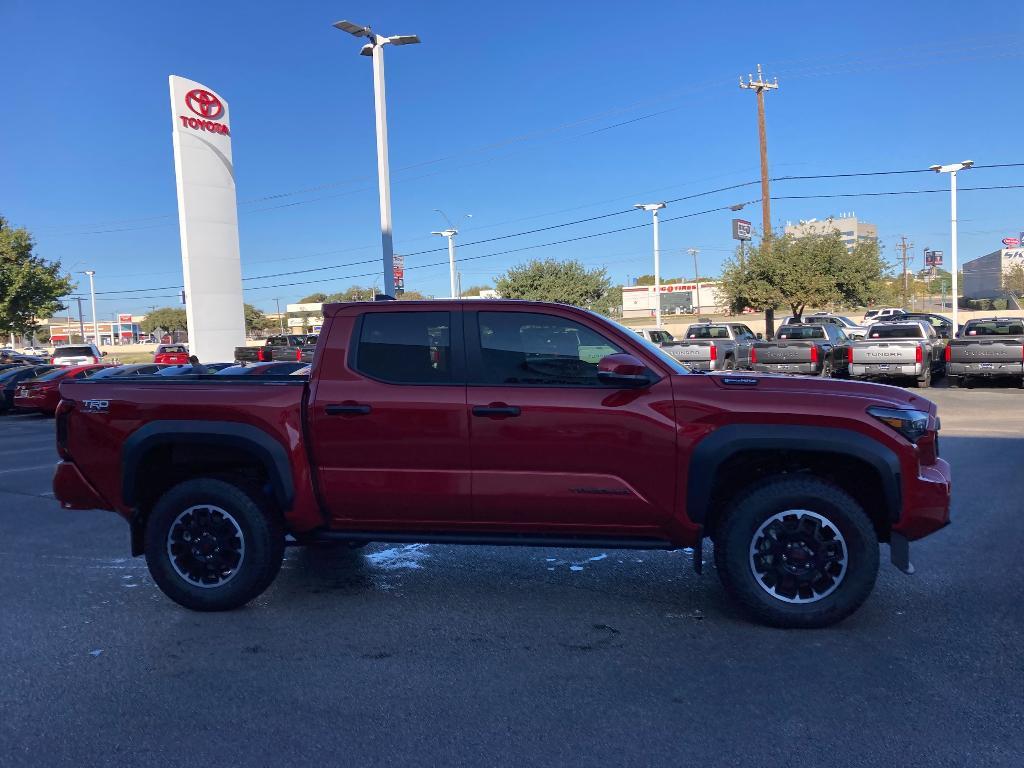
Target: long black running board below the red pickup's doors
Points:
(496, 540)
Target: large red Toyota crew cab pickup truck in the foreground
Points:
(508, 423)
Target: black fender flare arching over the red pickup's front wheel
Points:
(727, 442)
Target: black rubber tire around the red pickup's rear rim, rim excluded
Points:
(263, 537)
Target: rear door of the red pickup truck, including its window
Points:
(389, 420)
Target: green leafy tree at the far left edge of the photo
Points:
(30, 286)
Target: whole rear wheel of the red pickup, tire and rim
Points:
(209, 546)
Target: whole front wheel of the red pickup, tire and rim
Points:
(796, 551)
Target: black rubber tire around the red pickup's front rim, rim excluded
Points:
(739, 530)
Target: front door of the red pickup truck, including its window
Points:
(553, 448)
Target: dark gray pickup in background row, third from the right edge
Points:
(815, 350)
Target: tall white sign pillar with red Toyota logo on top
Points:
(208, 220)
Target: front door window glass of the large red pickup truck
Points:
(535, 350)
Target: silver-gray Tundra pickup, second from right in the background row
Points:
(899, 350)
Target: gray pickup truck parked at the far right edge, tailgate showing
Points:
(987, 348)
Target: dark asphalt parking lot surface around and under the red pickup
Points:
(450, 656)
